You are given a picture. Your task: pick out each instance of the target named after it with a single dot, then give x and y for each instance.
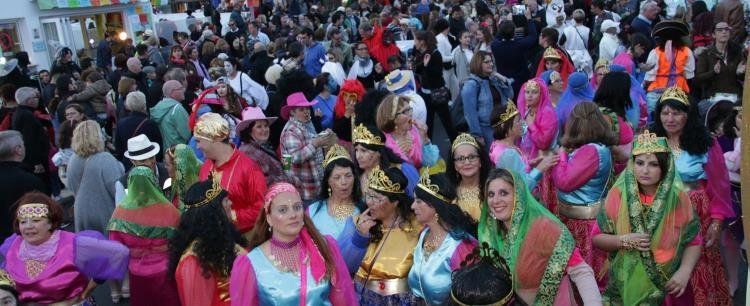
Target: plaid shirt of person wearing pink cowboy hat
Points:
(307, 160)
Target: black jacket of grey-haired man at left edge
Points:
(16, 179)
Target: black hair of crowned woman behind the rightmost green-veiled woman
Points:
(695, 138)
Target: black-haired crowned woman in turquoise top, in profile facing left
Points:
(445, 241)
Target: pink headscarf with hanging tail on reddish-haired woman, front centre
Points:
(317, 264)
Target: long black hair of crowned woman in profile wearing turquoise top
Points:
(451, 217)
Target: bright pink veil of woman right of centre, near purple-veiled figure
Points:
(542, 132)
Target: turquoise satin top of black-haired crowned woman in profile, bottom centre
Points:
(430, 276)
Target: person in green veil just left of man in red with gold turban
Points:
(183, 169)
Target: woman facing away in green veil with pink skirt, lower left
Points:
(144, 222)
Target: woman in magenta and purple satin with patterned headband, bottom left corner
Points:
(51, 266)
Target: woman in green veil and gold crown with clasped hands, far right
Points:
(650, 230)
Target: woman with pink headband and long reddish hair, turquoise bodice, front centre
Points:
(290, 262)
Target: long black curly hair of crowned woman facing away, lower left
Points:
(209, 228)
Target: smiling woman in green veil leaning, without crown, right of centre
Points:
(539, 250)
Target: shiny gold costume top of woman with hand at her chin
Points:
(395, 258)
